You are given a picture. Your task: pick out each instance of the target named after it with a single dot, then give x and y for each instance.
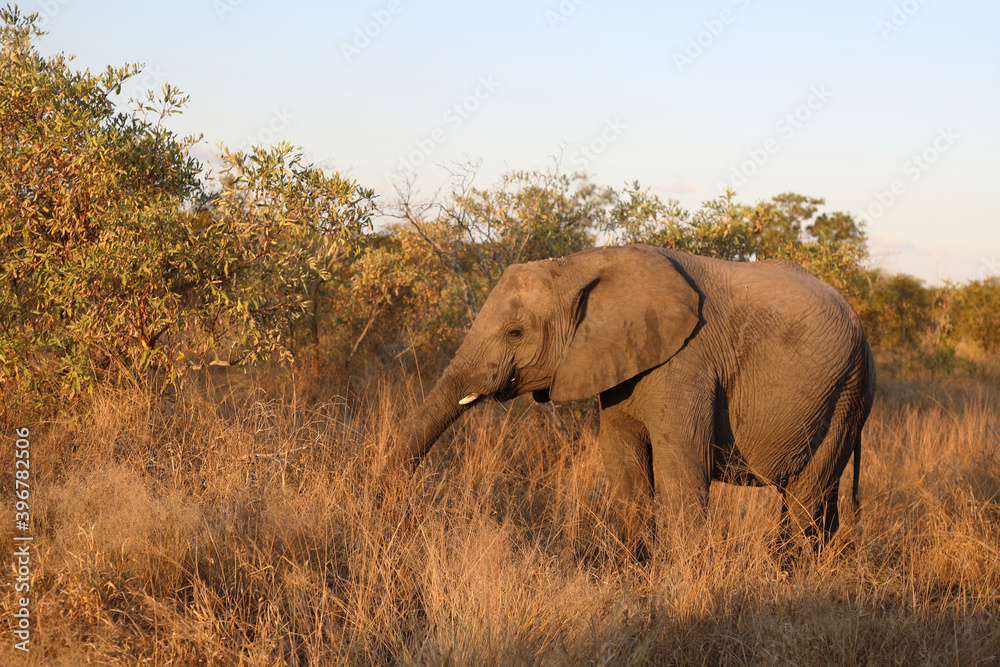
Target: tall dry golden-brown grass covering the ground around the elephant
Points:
(253, 530)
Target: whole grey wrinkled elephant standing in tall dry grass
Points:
(749, 373)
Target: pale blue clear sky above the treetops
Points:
(885, 108)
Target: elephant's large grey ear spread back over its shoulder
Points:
(635, 312)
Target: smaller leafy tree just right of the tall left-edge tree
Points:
(271, 238)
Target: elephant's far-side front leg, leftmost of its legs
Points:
(625, 449)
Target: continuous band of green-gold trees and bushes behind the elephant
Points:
(118, 249)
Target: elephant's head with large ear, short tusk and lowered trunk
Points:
(563, 329)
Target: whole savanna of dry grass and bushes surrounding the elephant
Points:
(213, 360)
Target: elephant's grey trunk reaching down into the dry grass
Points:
(440, 408)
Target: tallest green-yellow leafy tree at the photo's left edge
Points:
(82, 186)
